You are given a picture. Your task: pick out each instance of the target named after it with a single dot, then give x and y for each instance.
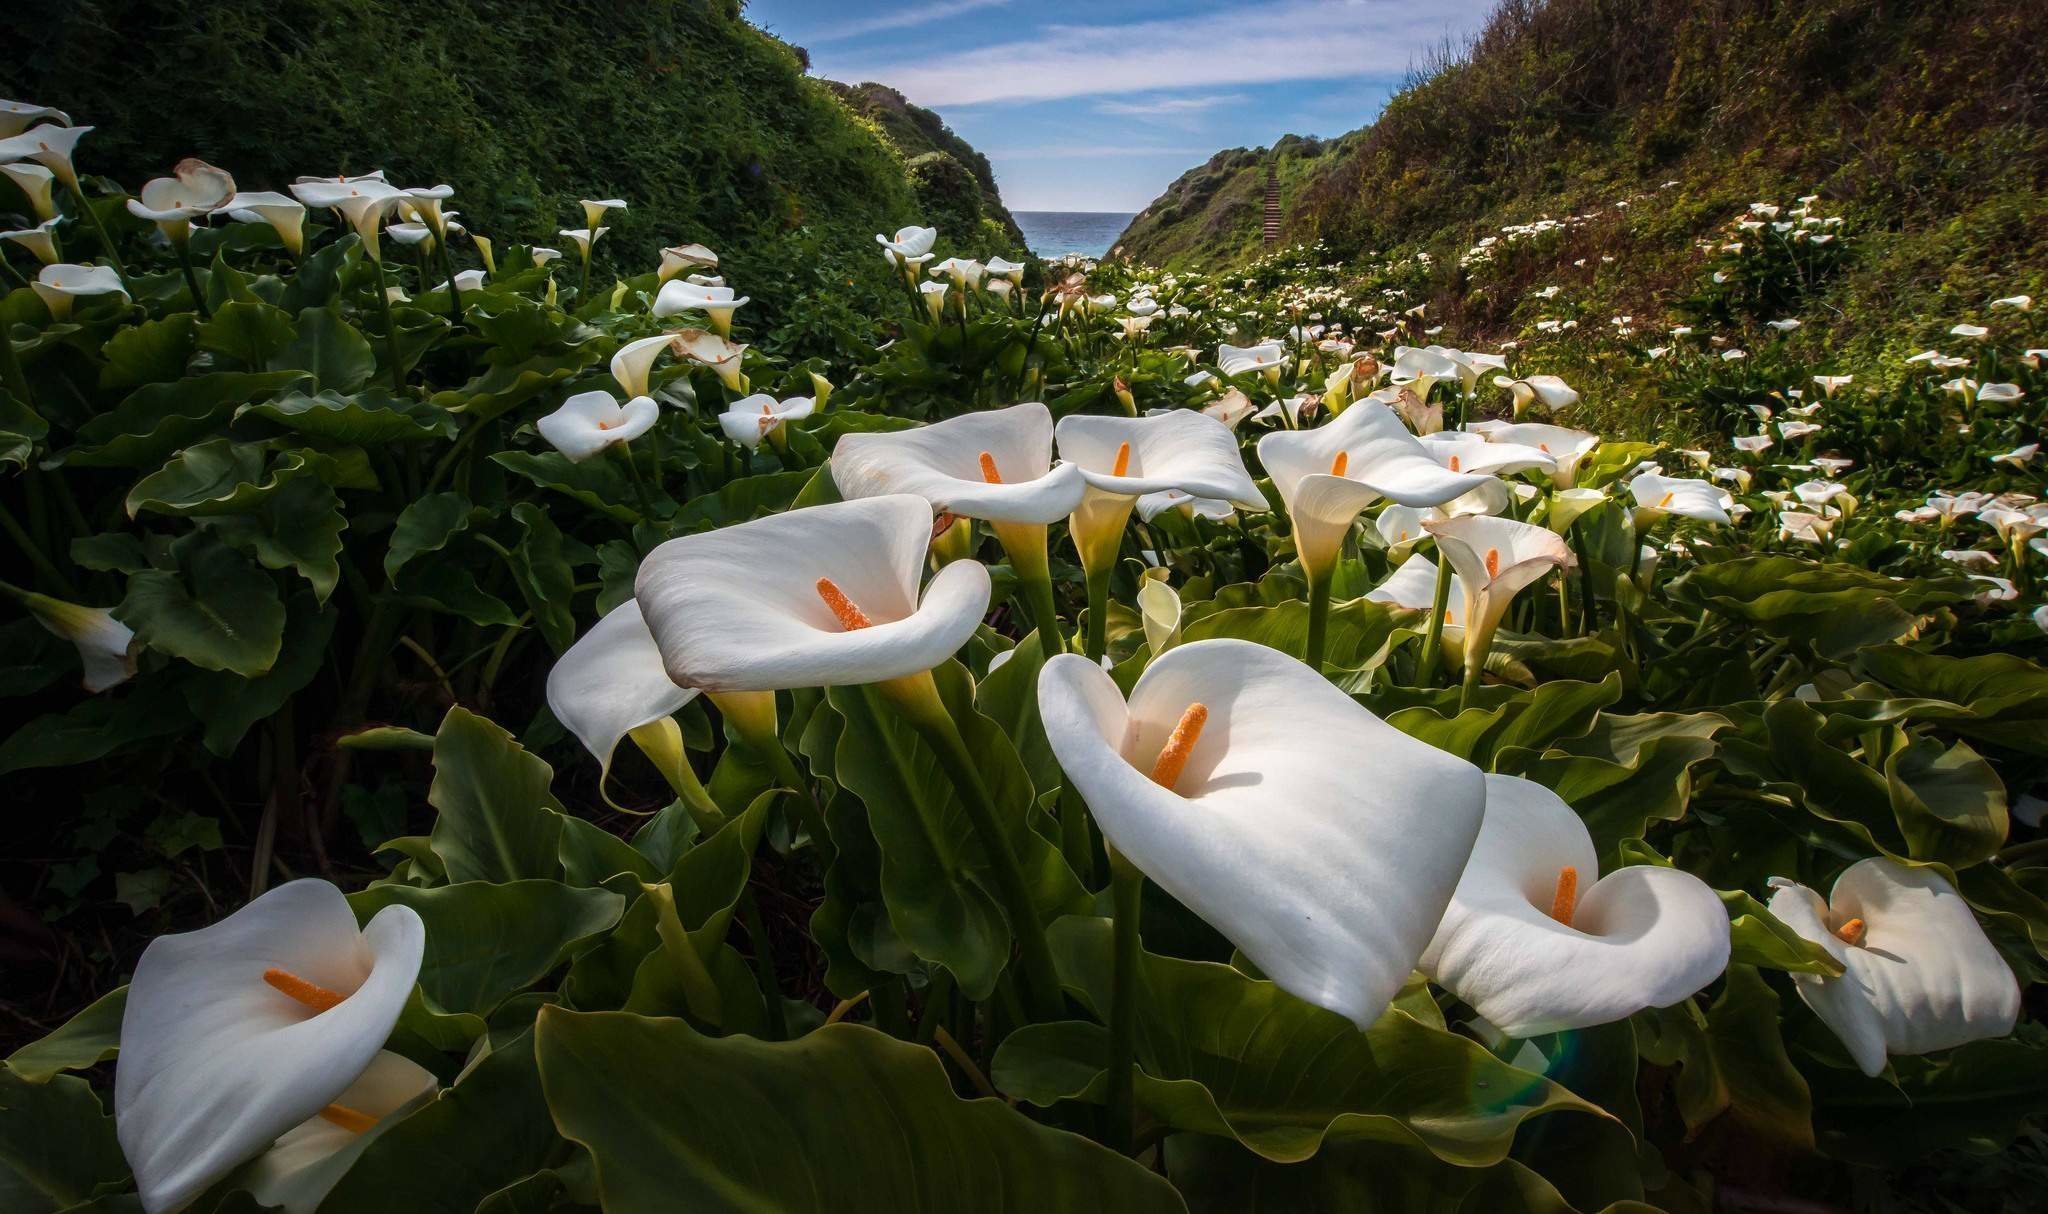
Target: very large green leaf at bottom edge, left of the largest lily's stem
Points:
(841, 1121)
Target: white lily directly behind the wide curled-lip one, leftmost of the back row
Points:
(994, 466)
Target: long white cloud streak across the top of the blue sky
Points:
(1248, 44)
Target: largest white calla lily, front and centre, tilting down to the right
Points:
(1318, 838)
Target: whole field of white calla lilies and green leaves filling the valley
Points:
(1136, 740)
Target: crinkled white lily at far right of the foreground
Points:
(1920, 971)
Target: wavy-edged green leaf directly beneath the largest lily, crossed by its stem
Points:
(1224, 1053)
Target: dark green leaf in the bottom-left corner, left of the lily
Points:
(56, 1145)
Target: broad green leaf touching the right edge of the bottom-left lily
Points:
(488, 941)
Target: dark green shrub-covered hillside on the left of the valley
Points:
(703, 124)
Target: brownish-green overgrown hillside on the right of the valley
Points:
(1924, 124)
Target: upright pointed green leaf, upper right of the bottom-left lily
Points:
(499, 820)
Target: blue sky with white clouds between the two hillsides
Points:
(1099, 105)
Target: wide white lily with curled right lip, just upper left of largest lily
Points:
(810, 599)
